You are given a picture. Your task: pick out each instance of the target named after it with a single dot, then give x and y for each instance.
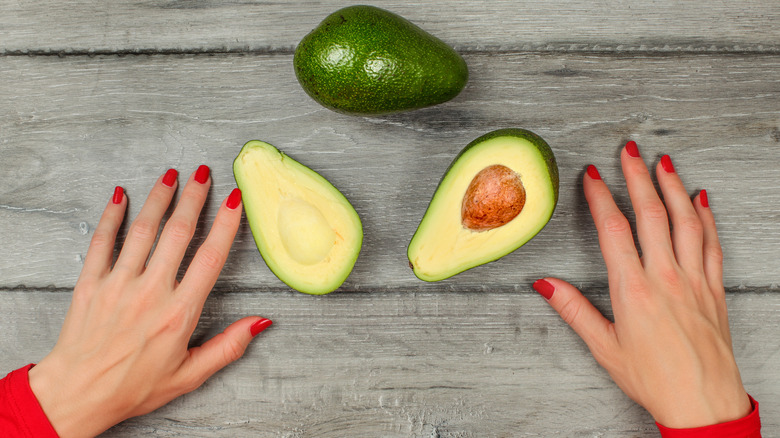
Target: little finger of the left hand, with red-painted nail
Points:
(100, 253)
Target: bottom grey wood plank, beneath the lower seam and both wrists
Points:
(400, 364)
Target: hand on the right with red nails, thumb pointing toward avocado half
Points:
(669, 348)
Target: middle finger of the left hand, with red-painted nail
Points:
(180, 227)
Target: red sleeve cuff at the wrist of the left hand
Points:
(21, 416)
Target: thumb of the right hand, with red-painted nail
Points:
(596, 330)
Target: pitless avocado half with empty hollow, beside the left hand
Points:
(306, 231)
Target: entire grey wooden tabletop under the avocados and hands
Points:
(97, 94)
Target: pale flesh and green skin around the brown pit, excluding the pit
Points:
(443, 246)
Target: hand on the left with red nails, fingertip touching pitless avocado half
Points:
(122, 351)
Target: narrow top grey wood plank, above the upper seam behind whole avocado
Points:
(557, 25)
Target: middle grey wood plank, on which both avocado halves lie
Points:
(71, 128)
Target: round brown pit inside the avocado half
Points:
(493, 198)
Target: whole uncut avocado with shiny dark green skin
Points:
(364, 60)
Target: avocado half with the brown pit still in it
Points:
(497, 194)
